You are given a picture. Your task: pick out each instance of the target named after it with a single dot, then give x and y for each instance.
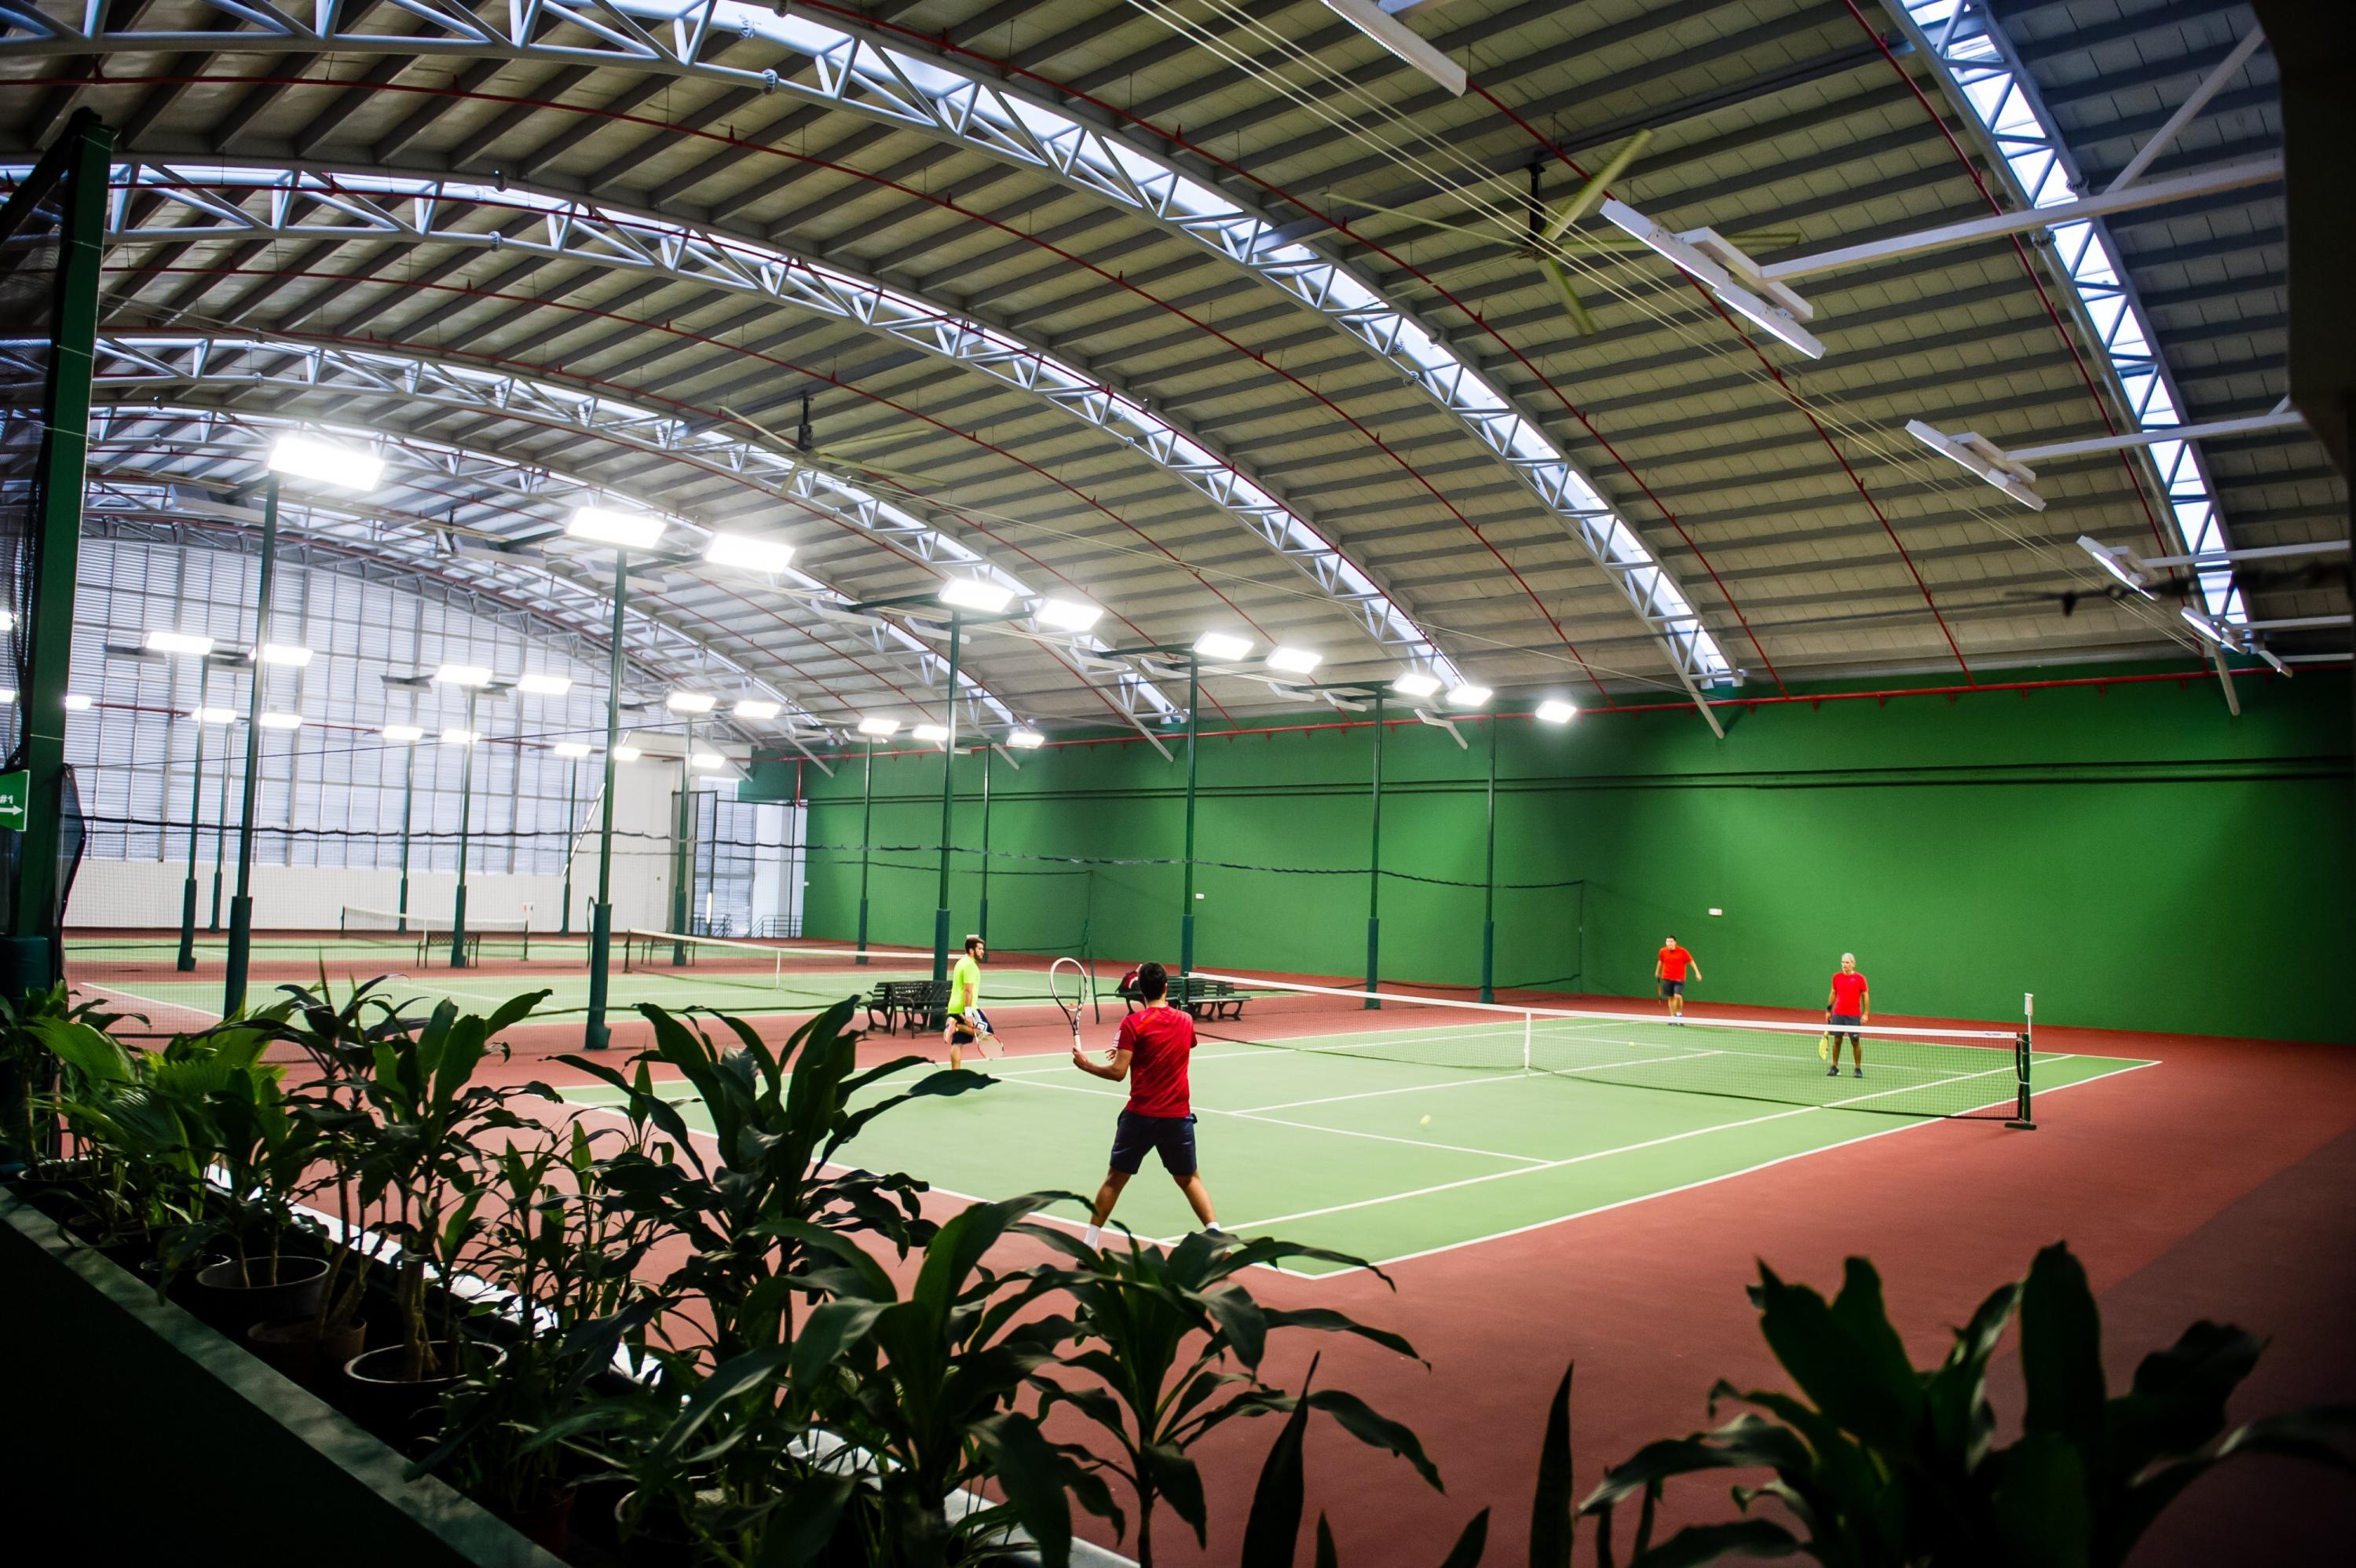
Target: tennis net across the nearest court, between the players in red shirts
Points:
(1907, 1072)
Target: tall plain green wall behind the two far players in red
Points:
(2131, 853)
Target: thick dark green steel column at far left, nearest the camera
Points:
(58, 540)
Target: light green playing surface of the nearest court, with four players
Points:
(1335, 1150)
